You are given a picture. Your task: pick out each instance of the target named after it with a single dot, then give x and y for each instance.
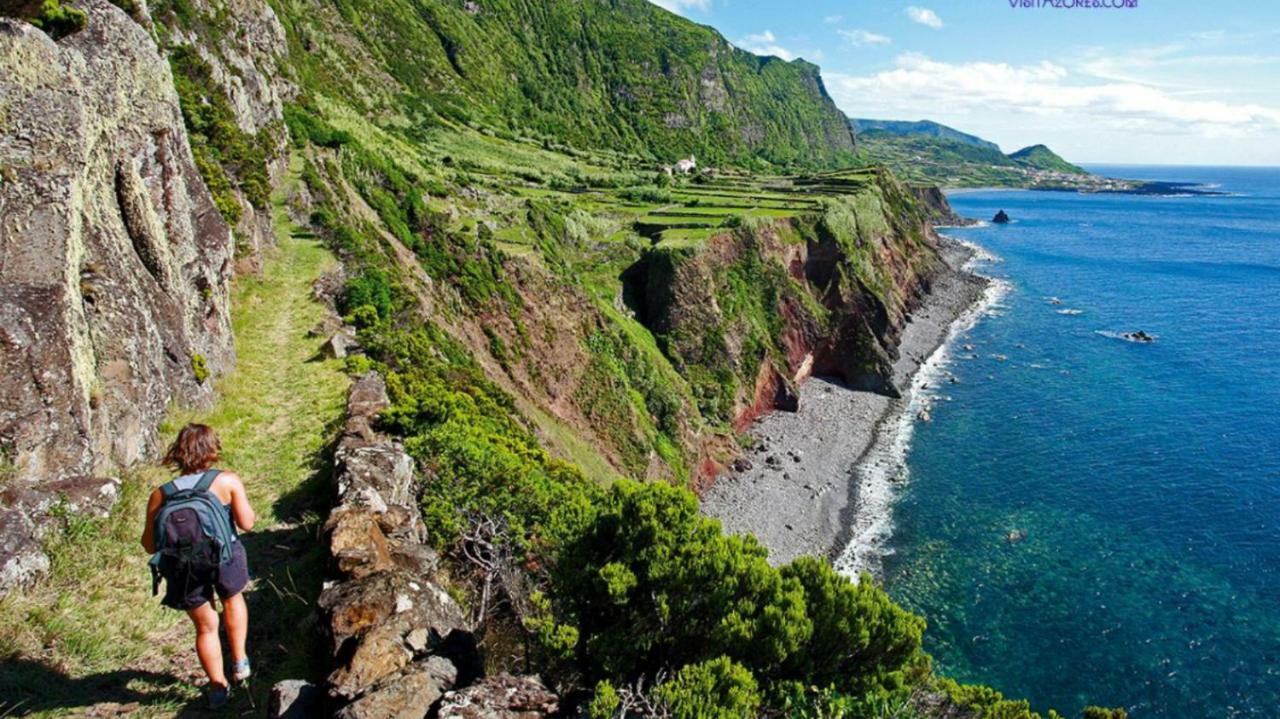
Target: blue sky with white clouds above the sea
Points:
(1163, 83)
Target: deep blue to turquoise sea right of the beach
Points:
(1145, 477)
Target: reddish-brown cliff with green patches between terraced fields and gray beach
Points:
(761, 309)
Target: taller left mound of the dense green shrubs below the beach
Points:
(652, 585)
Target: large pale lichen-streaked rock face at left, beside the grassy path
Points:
(115, 267)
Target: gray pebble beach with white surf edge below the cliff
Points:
(820, 482)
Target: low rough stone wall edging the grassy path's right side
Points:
(401, 644)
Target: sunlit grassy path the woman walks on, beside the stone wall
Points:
(92, 638)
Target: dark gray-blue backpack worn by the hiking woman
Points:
(194, 534)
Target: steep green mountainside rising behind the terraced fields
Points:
(620, 75)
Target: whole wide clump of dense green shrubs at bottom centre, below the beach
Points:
(653, 587)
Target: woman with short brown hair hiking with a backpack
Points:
(191, 530)
